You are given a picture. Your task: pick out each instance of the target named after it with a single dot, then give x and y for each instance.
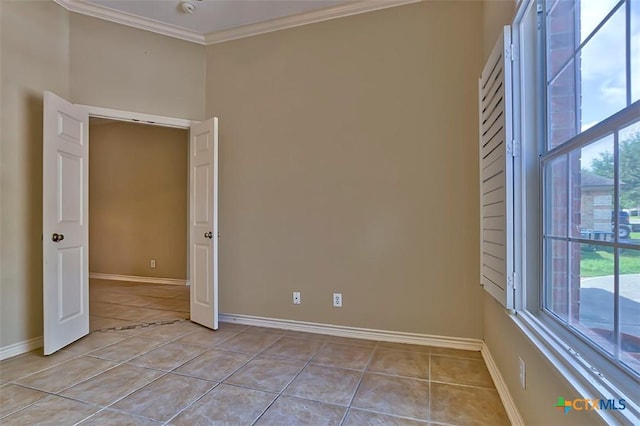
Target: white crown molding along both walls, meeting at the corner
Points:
(354, 8)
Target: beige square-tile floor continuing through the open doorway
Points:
(185, 374)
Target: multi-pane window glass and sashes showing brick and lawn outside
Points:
(590, 166)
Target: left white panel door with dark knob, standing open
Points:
(65, 225)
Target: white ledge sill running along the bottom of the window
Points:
(583, 377)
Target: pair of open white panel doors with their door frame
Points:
(65, 216)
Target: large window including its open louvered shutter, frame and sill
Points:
(571, 204)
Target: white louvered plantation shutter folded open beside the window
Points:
(496, 173)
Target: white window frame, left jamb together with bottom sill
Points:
(589, 372)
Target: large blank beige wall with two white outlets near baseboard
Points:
(348, 164)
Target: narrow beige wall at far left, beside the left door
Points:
(35, 58)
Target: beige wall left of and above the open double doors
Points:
(88, 61)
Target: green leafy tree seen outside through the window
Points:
(629, 153)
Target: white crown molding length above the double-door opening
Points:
(101, 12)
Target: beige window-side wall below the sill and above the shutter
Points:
(505, 340)
